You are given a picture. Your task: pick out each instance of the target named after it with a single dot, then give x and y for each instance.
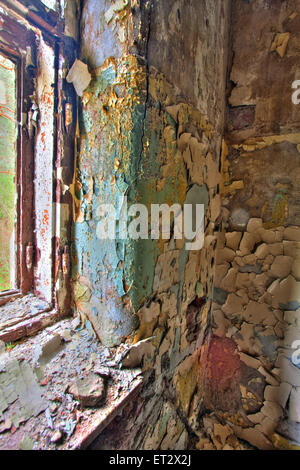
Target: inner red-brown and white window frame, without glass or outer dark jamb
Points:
(31, 224)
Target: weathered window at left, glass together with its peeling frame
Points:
(29, 213)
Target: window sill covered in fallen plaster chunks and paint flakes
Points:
(52, 384)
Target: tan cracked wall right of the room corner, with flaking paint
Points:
(256, 301)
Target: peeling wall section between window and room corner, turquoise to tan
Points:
(154, 134)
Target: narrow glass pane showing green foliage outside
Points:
(7, 172)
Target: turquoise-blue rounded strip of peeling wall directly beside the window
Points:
(111, 131)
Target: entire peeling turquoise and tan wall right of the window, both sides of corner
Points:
(221, 322)
